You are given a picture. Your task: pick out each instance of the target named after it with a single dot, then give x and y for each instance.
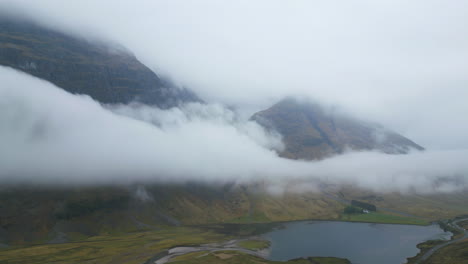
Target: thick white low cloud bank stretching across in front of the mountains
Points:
(50, 136)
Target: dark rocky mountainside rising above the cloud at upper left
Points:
(109, 74)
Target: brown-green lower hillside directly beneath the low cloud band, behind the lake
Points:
(31, 215)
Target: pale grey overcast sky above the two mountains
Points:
(401, 63)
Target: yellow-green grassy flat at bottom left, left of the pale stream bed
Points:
(130, 248)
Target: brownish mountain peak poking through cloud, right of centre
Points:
(311, 132)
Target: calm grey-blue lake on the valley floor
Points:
(361, 243)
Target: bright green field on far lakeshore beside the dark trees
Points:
(378, 217)
